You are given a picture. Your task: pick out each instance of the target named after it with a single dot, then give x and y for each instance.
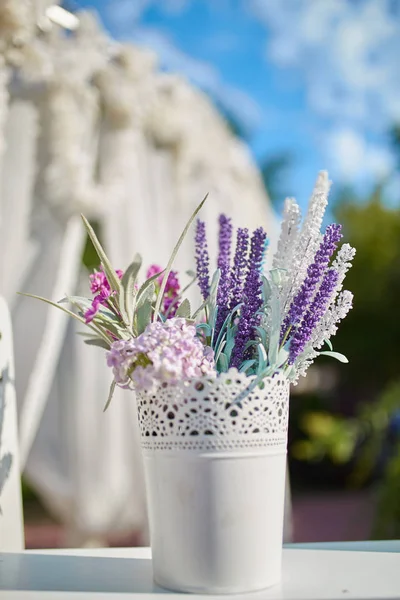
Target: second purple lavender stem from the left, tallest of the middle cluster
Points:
(224, 260)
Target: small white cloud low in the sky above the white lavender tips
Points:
(355, 159)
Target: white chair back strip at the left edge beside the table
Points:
(11, 517)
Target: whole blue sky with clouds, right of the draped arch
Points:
(316, 79)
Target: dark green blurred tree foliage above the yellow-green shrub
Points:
(370, 334)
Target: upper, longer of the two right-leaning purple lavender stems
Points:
(314, 273)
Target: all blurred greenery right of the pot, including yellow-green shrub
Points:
(353, 431)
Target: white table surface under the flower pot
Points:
(126, 573)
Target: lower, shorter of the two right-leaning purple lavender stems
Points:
(314, 314)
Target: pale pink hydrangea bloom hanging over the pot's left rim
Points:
(167, 352)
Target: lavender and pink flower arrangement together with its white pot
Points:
(212, 385)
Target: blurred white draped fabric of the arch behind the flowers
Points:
(89, 126)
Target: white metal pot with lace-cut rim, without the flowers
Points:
(215, 477)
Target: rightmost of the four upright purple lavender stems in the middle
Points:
(252, 297)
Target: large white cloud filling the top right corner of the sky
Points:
(347, 51)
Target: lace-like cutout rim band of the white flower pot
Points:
(204, 414)
